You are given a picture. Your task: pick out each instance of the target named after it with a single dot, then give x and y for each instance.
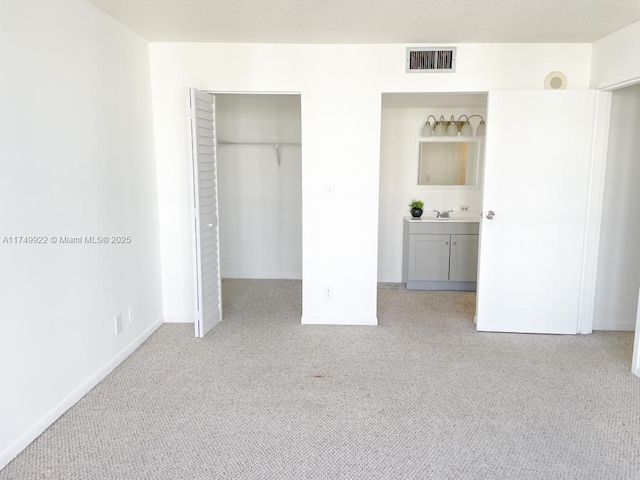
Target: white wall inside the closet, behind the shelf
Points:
(260, 204)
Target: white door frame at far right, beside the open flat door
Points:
(596, 202)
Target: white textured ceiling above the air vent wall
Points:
(373, 21)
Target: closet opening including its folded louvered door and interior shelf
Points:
(246, 170)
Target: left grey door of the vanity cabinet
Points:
(429, 257)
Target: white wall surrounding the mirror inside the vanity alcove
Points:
(400, 128)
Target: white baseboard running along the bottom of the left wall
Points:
(70, 400)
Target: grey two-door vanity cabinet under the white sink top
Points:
(440, 254)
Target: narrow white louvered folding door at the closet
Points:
(208, 301)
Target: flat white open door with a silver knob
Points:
(536, 182)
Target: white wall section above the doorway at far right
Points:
(615, 59)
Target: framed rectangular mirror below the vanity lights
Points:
(447, 162)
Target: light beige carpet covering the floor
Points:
(421, 396)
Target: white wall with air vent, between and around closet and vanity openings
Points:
(341, 88)
